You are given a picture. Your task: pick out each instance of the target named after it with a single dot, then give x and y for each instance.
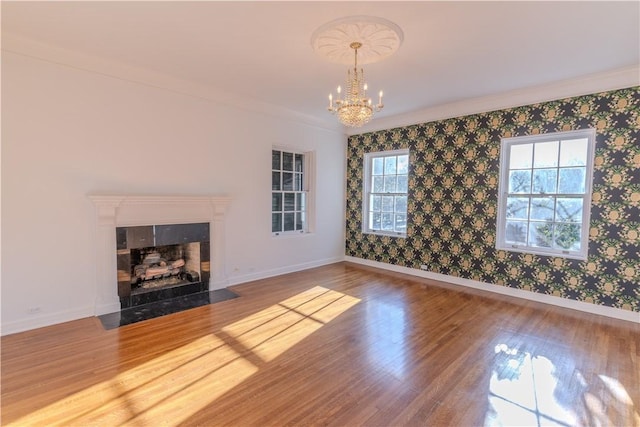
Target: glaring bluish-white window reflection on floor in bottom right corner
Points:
(529, 389)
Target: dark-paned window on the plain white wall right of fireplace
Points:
(289, 192)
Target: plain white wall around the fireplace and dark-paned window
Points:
(68, 132)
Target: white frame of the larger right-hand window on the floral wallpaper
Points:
(506, 144)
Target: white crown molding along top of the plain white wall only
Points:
(27, 47)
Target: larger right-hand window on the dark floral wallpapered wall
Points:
(545, 193)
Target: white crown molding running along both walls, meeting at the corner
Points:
(610, 80)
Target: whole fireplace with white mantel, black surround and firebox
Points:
(185, 227)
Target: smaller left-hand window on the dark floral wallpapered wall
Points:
(385, 192)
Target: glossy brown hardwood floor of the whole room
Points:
(338, 345)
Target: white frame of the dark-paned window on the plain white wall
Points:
(308, 188)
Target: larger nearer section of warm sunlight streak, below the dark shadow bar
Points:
(196, 374)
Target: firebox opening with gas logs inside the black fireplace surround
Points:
(164, 266)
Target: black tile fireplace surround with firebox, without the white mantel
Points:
(157, 262)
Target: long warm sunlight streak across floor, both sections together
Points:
(177, 384)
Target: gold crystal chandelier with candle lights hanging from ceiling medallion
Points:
(355, 109)
